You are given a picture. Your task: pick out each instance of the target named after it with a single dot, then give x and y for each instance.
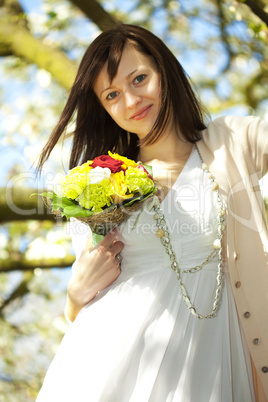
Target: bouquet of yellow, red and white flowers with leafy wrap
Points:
(103, 192)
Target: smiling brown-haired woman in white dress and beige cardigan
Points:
(141, 331)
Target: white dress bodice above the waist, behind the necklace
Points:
(190, 210)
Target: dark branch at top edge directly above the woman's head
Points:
(94, 11)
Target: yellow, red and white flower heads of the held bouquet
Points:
(99, 183)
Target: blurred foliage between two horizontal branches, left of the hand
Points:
(29, 244)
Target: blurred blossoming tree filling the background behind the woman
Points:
(39, 54)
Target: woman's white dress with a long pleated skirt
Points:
(137, 341)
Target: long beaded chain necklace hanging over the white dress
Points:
(164, 236)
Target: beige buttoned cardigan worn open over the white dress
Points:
(236, 151)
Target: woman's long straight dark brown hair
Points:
(95, 131)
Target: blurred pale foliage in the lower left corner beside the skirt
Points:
(31, 329)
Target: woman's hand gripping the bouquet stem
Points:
(96, 269)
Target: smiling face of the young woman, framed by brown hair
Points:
(132, 99)
